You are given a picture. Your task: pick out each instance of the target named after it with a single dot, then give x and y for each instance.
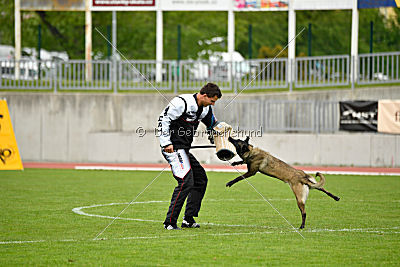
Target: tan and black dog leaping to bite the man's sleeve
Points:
(258, 160)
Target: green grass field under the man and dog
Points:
(238, 226)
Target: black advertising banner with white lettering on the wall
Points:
(359, 116)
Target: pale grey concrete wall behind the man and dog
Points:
(84, 127)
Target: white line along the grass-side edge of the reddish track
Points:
(216, 169)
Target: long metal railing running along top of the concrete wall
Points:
(191, 75)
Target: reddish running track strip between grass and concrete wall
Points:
(208, 167)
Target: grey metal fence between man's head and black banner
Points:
(280, 116)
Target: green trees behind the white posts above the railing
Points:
(64, 31)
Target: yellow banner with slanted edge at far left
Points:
(10, 158)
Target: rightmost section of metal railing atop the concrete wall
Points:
(378, 68)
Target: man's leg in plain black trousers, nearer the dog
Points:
(198, 190)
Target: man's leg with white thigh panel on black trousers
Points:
(182, 172)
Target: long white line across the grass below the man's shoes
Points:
(176, 234)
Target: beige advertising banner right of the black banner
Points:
(389, 116)
